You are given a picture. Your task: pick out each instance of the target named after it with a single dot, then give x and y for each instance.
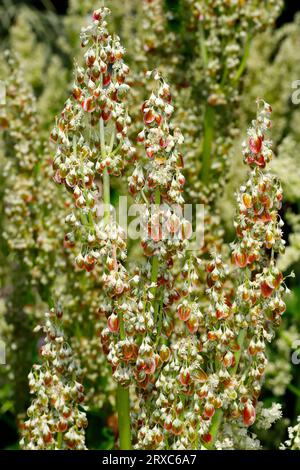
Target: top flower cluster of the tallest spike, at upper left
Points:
(98, 91)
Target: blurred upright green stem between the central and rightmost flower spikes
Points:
(207, 143)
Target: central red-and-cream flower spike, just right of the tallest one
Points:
(147, 314)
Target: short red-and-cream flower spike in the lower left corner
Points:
(55, 418)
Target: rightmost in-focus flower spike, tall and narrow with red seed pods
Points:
(258, 301)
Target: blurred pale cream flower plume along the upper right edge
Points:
(286, 115)
